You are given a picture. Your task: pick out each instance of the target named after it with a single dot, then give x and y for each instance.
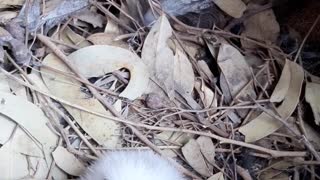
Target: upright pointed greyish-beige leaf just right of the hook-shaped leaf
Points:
(158, 56)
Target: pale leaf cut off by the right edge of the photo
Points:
(312, 95)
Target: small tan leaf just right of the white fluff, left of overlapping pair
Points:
(191, 151)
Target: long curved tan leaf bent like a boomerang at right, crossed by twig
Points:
(264, 124)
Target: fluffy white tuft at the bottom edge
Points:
(132, 165)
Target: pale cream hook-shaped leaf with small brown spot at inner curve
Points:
(96, 61)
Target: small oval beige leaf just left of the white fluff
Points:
(67, 161)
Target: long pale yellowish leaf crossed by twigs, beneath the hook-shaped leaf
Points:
(100, 129)
